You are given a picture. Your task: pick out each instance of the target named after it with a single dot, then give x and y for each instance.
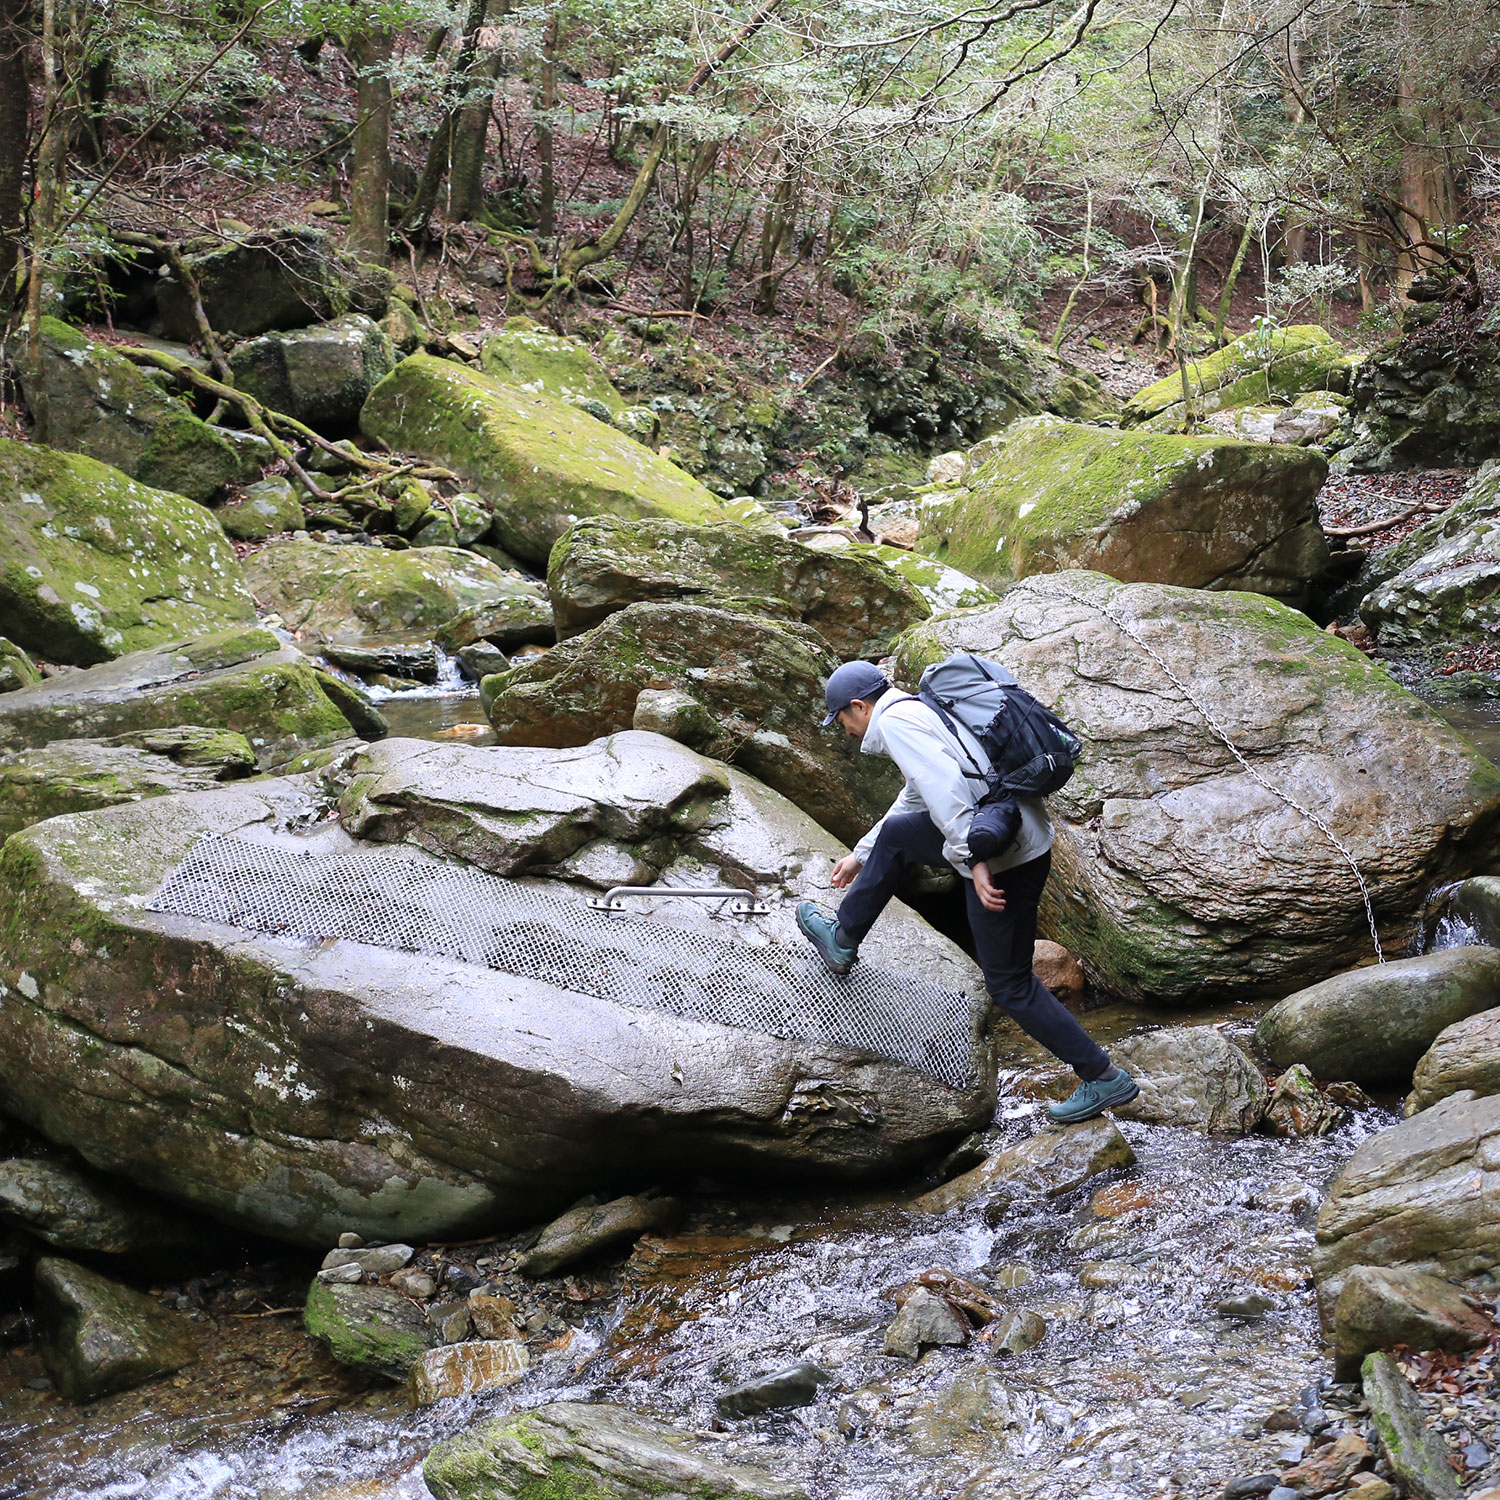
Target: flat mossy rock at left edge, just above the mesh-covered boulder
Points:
(74, 776)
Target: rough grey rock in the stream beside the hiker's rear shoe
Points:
(1193, 1078)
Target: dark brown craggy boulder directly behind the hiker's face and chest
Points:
(754, 692)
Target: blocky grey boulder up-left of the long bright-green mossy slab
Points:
(320, 376)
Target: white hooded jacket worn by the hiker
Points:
(905, 730)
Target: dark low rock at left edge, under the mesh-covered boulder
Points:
(74, 1210)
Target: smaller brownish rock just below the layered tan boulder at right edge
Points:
(1381, 1307)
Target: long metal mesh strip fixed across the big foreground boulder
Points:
(389, 899)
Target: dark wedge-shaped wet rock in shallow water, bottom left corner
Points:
(100, 1337)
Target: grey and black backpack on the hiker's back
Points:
(1031, 751)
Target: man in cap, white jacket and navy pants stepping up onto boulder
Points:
(931, 823)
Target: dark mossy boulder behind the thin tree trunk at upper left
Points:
(107, 409)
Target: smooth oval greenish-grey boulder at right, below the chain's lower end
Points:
(1375, 1025)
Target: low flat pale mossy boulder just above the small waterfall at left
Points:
(361, 596)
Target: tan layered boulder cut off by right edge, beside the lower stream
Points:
(1421, 1195)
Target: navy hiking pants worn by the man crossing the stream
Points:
(1003, 941)
